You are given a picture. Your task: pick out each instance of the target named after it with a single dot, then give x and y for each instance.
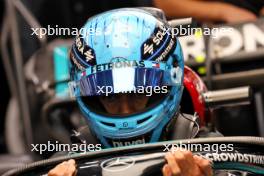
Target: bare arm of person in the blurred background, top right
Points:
(204, 10)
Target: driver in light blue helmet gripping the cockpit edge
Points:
(125, 116)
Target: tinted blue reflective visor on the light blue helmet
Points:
(127, 80)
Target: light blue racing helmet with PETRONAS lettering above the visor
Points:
(120, 51)
